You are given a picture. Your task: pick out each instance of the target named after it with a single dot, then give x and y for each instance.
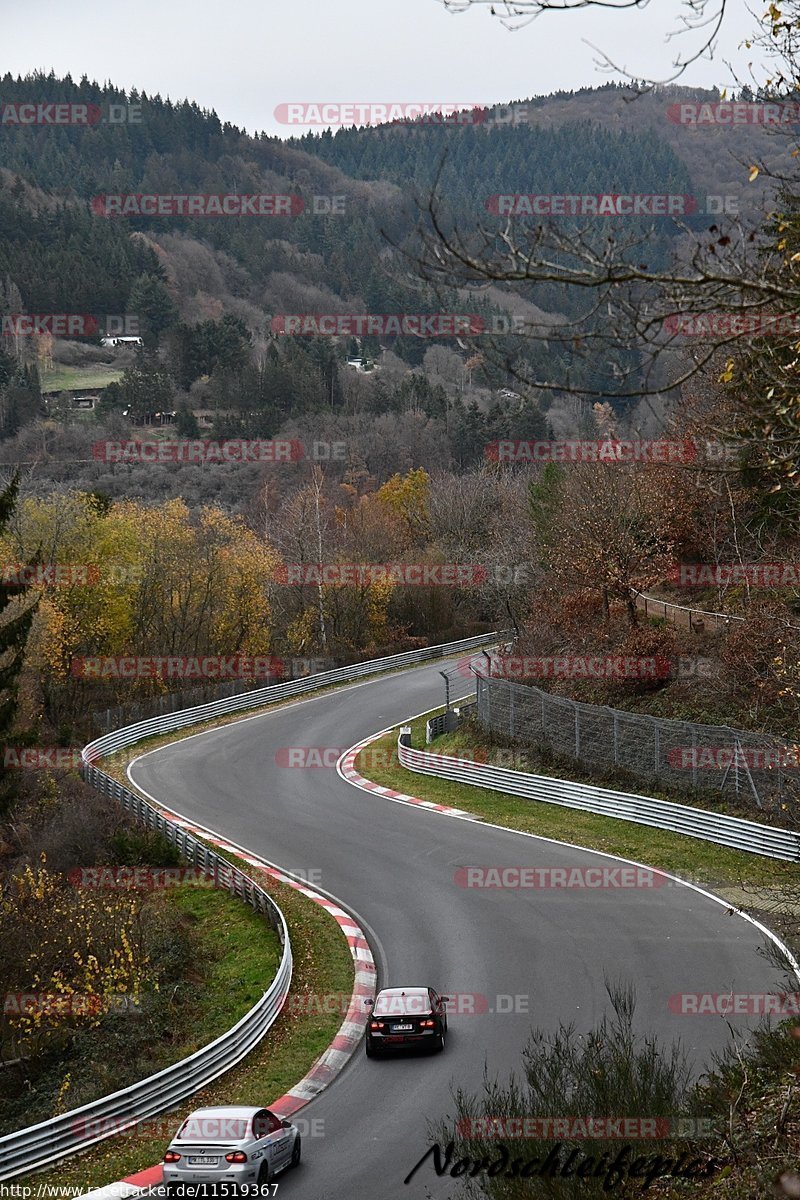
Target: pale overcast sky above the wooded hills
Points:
(244, 58)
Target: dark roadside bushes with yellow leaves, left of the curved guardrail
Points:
(83, 969)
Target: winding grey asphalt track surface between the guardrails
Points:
(394, 866)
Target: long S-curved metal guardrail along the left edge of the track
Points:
(27, 1150)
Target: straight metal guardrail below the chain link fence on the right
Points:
(717, 827)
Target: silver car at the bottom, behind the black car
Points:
(232, 1149)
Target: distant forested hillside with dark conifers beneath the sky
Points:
(182, 277)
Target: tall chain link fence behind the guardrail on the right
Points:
(678, 754)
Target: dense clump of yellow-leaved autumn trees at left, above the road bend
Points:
(163, 580)
